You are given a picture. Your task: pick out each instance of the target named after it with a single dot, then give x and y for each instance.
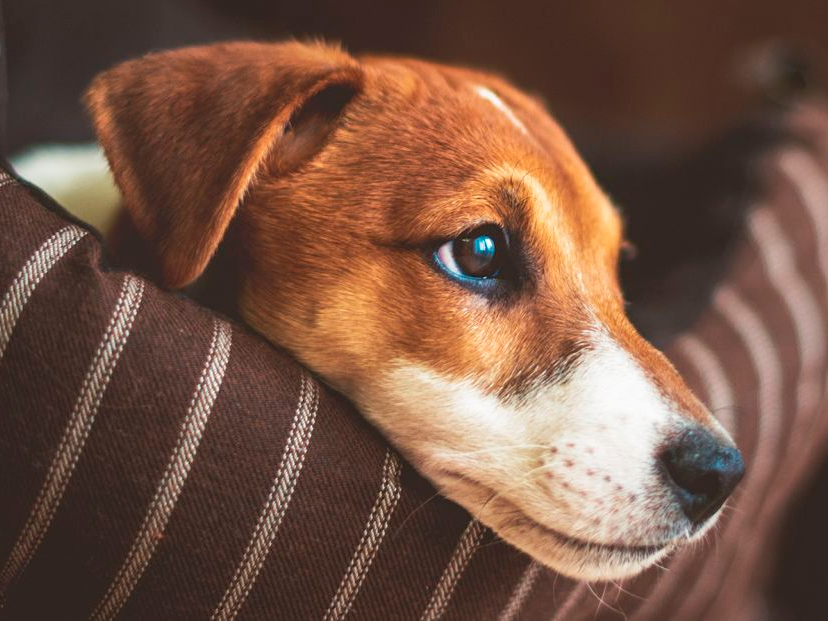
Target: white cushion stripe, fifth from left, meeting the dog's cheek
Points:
(370, 541)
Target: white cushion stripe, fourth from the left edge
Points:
(277, 503)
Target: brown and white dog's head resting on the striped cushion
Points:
(427, 240)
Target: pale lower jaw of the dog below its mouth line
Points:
(572, 556)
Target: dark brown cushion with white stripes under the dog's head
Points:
(158, 461)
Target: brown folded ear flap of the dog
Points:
(186, 131)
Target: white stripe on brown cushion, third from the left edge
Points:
(174, 477)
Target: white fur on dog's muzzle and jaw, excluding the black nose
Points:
(577, 457)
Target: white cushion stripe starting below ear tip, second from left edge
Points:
(74, 436)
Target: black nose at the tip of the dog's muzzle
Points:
(704, 470)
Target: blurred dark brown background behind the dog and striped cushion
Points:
(643, 88)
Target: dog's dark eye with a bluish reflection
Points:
(479, 254)
